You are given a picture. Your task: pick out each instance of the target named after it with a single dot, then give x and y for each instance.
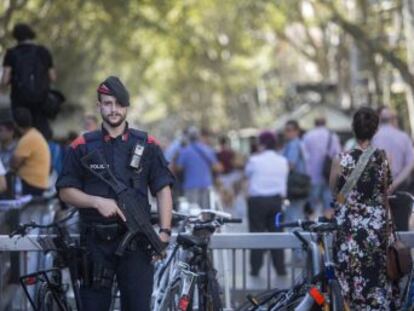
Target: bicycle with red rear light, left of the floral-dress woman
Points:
(319, 289)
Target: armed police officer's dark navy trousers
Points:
(134, 273)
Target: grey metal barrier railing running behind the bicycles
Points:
(231, 253)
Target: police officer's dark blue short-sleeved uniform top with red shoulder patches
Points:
(153, 174)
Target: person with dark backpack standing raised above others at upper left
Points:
(28, 68)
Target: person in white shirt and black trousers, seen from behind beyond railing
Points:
(267, 174)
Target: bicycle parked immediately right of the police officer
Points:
(187, 278)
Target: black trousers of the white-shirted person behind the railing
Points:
(262, 211)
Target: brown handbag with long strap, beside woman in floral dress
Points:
(399, 261)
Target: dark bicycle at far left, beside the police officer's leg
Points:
(50, 292)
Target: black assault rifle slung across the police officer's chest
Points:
(137, 220)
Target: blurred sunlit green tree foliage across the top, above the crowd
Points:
(194, 61)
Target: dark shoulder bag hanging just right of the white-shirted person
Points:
(299, 184)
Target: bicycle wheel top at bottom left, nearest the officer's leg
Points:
(48, 300)
